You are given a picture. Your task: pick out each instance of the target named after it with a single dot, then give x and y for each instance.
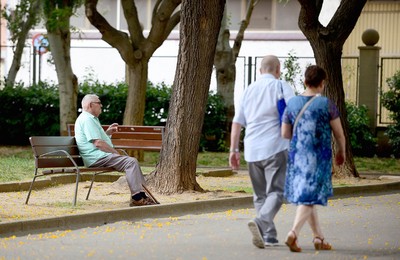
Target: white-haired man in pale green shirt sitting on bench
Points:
(97, 150)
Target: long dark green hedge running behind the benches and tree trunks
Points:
(34, 110)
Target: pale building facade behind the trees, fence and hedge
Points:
(273, 30)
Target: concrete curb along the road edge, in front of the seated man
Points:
(163, 211)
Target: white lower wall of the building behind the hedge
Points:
(97, 59)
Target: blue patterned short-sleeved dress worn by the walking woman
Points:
(309, 167)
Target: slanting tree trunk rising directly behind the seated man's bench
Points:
(58, 29)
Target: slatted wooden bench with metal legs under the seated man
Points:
(60, 155)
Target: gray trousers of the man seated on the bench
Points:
(130, 165)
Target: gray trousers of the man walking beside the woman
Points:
(268, 180)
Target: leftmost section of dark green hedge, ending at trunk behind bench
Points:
(28, 111)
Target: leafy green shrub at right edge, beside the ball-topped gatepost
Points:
(391, 101)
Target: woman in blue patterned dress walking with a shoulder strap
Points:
(308, 121)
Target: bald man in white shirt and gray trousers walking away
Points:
(264, 149)
